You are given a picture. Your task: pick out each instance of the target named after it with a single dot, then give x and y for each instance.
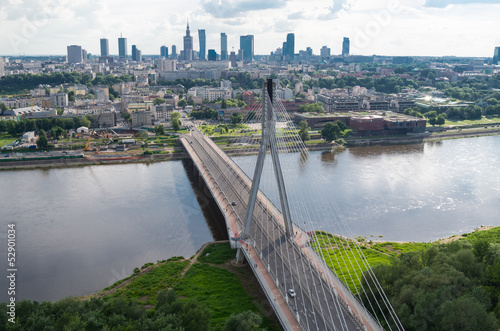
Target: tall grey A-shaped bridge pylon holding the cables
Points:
(268, 141)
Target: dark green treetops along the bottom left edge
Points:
(169, 313)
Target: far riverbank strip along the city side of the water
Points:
(93, 159)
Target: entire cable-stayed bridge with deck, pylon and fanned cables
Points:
(275, 239)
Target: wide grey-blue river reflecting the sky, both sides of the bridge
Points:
(79, 230)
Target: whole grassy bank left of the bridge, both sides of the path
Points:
(213, 281)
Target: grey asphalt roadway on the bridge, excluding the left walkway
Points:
(317, 305)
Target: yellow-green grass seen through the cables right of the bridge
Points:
(346, 261)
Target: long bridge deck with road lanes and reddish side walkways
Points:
(280, 262)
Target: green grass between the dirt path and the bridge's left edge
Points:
(221, 291)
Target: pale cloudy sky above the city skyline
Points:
(383, 27)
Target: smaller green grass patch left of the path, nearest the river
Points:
(148, 285)
